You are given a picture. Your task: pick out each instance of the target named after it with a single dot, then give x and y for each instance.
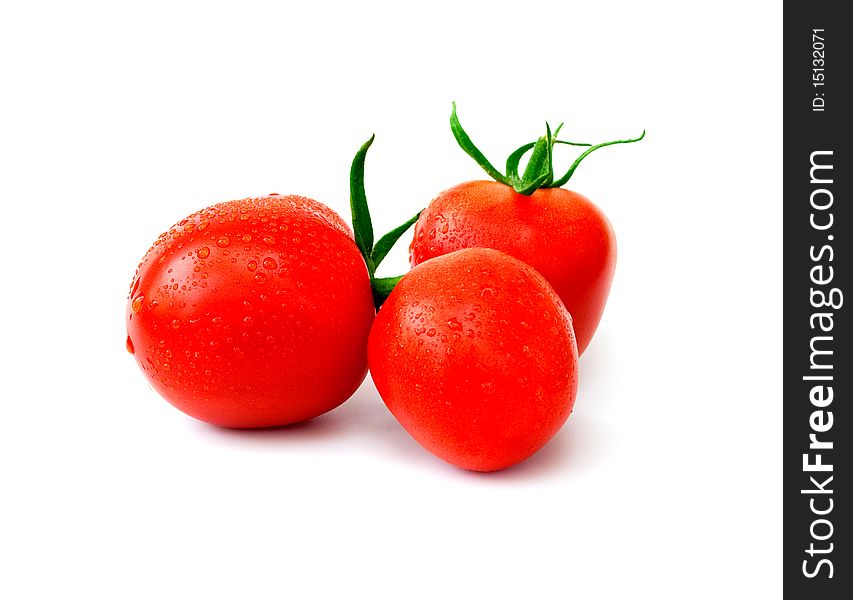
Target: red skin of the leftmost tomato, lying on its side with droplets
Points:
(253, 313)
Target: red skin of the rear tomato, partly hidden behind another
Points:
(560, 233)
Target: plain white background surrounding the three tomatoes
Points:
(118, 119)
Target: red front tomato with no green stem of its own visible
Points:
(474, 354)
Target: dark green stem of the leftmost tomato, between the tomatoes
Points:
(362, 224)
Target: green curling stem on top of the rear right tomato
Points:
(539, 172)
